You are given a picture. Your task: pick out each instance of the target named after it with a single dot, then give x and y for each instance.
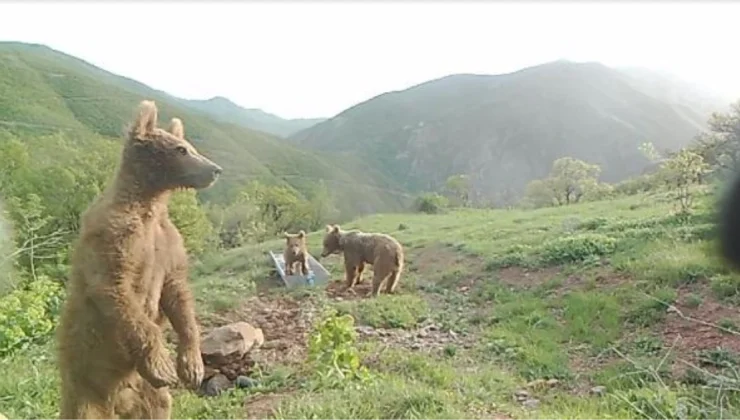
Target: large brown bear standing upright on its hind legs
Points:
(129, 274)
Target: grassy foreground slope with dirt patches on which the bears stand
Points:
(611, 309)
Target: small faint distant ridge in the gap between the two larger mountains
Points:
(256, 119)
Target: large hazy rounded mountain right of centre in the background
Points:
(505, 130)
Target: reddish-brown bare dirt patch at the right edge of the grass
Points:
(686, 326)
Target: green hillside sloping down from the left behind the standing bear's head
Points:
(43, 91)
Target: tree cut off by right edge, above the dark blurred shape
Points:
(720, 146)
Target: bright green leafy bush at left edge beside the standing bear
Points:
(28, 315)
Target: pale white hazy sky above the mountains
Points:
(314, 59)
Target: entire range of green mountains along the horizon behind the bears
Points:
(503, 130)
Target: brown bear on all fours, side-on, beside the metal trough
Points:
(381, 251)
